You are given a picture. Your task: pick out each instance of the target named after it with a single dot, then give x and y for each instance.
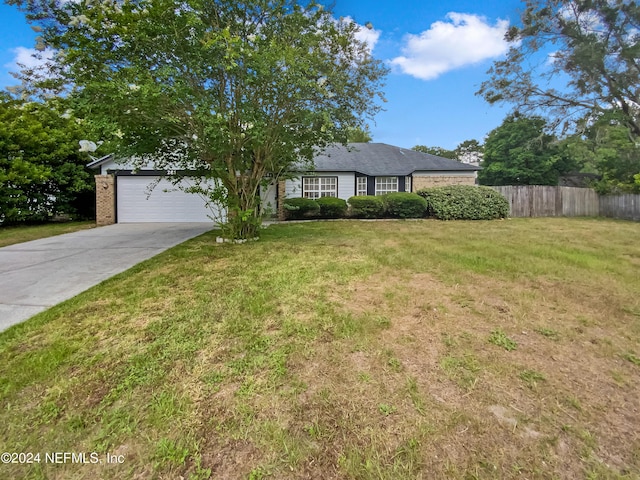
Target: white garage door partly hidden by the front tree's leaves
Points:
(137, 202)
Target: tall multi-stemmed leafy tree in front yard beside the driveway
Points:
(237, 90)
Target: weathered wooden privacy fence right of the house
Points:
(546, 201)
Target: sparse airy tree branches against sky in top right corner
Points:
(571, 58)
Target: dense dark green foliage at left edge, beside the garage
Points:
(42, 172)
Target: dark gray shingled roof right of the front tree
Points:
(380, 159)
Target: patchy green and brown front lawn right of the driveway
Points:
(343, 350)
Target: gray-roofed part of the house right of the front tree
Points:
(374, 169)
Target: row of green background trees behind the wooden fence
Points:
(524, 150)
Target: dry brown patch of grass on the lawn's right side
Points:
(564, 395)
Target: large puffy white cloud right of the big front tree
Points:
(463, 40)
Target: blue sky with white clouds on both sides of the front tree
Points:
(438, 53)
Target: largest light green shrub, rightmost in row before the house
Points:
(465, 202)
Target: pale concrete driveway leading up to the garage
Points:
(39, 274)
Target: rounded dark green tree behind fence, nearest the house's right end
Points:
(520, 152)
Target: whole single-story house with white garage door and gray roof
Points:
(125, 195)
